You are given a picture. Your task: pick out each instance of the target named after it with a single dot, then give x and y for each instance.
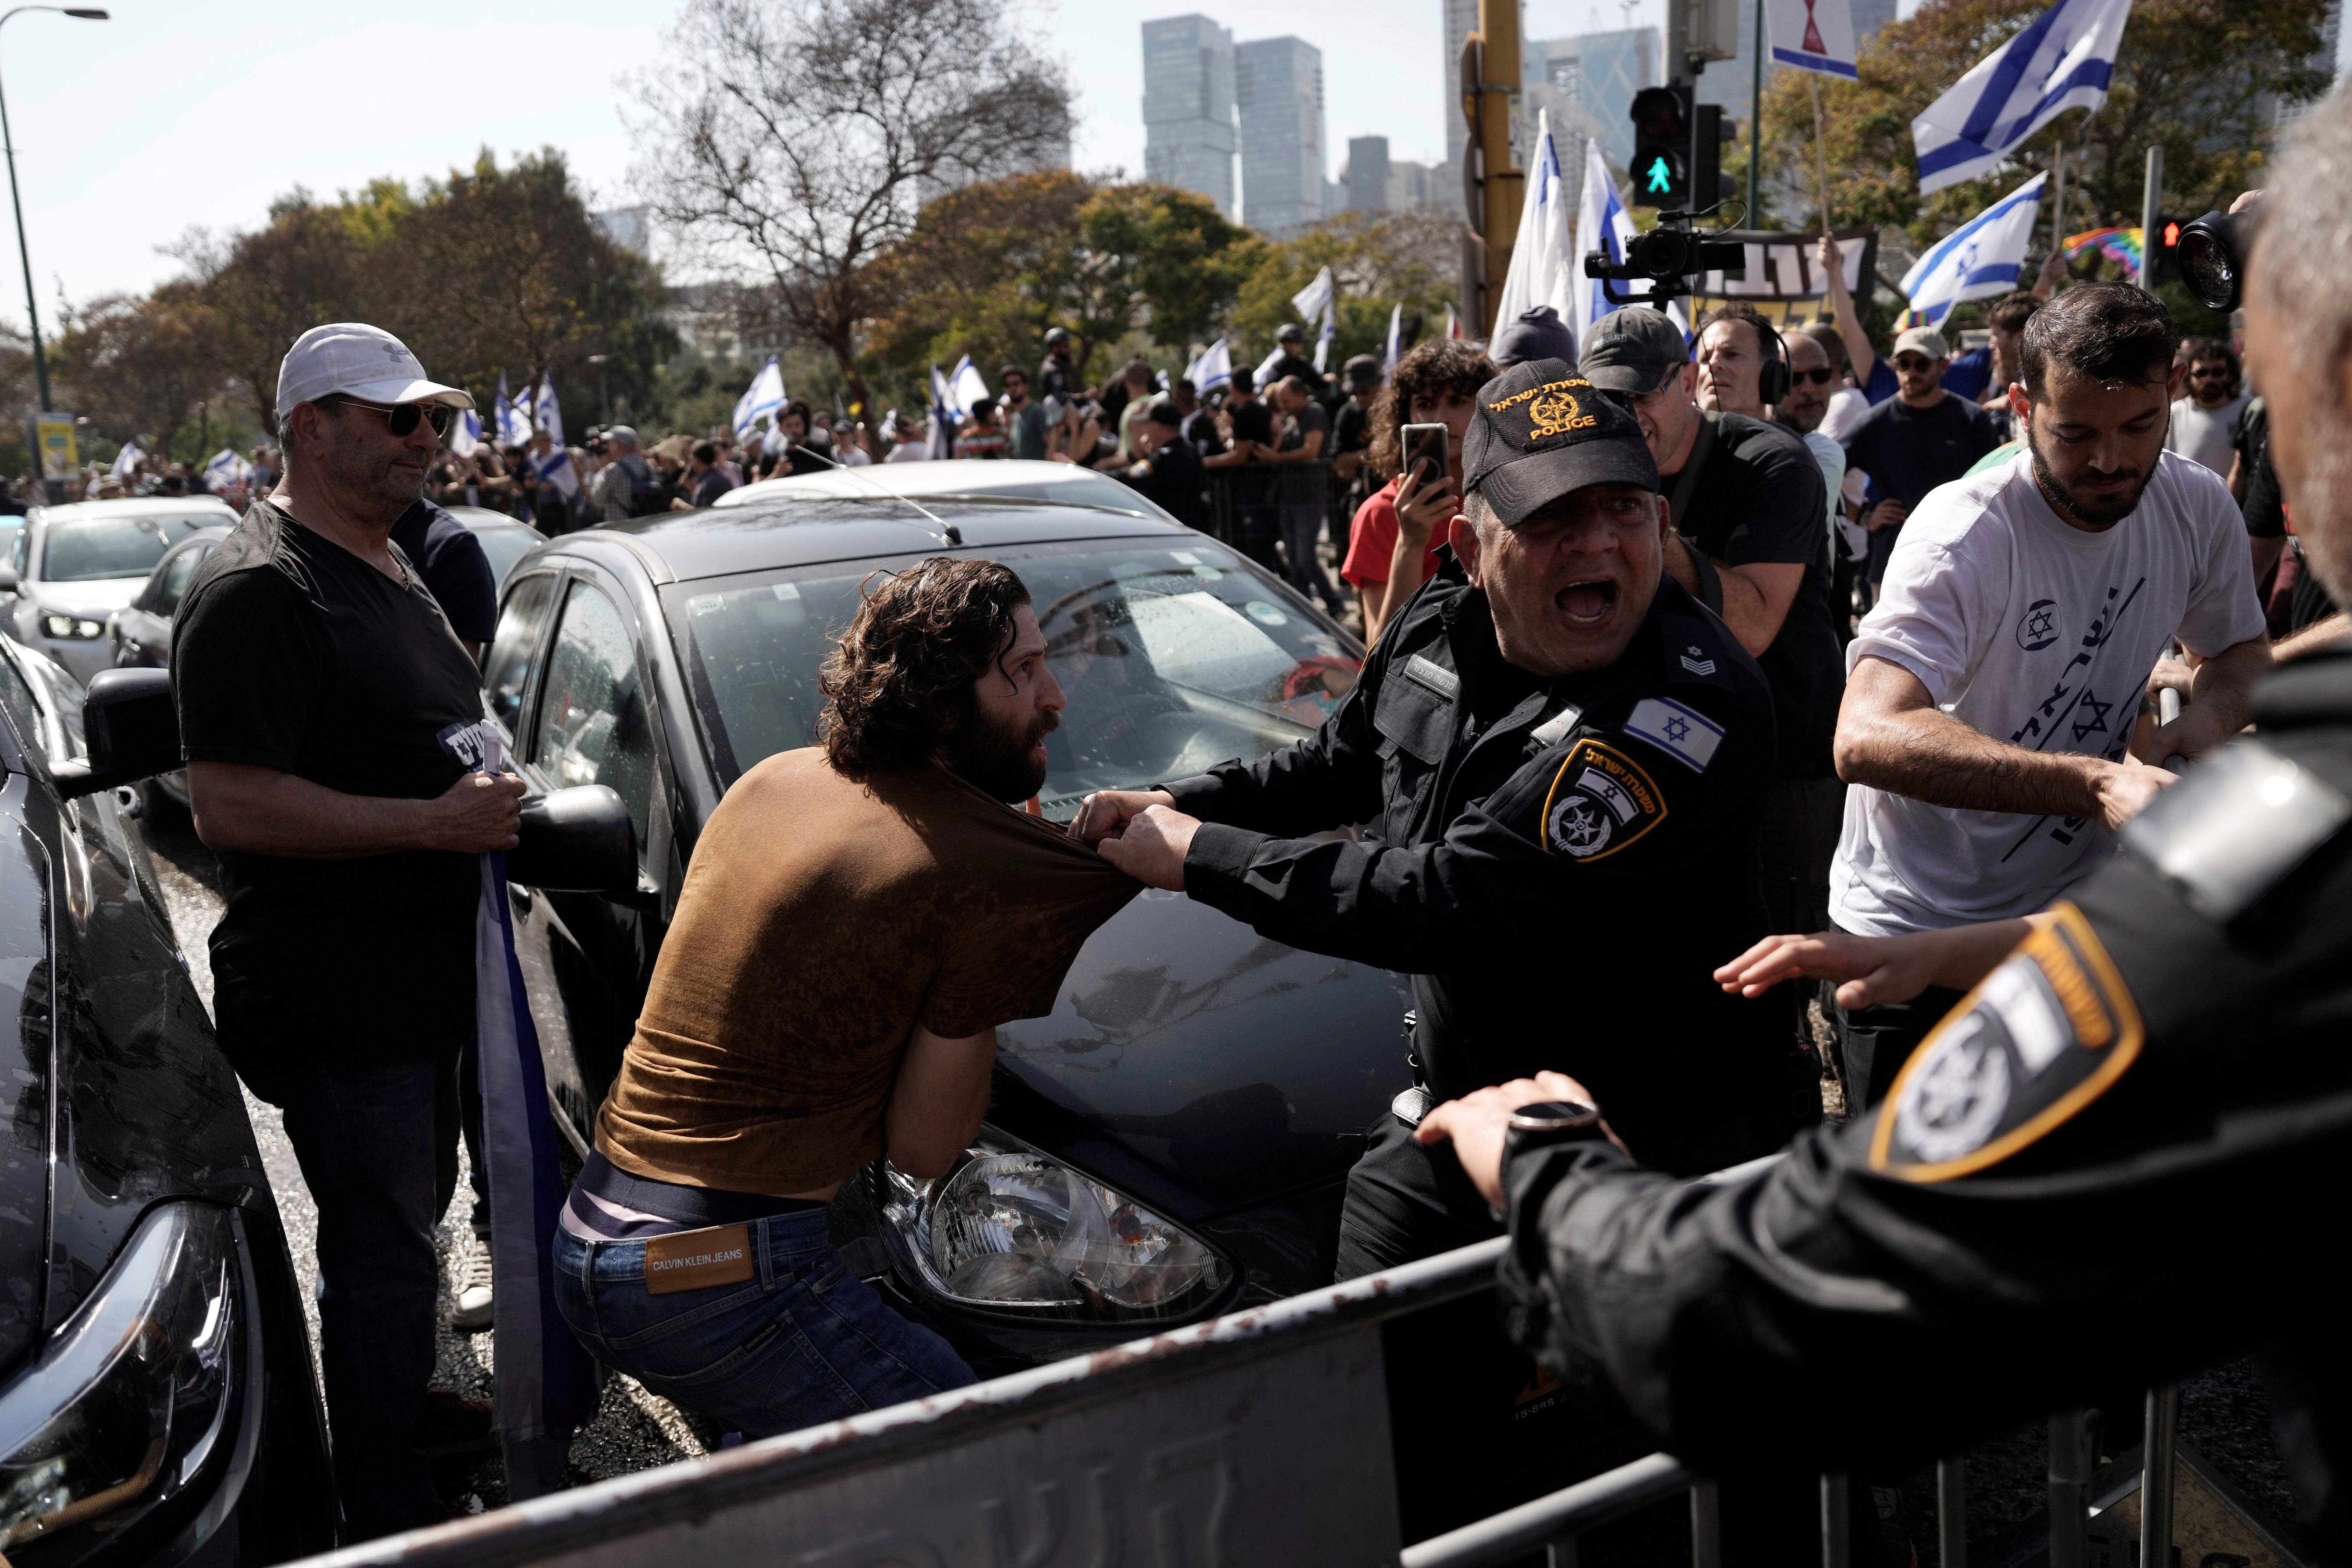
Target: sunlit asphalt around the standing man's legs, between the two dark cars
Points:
(634, 1430)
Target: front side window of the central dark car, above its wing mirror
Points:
(592, 711)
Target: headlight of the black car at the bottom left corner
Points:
(131, 1400)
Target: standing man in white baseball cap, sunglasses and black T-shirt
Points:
(333, 730)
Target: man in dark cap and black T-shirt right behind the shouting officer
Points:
(1753, 547)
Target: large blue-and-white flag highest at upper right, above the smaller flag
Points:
(2062, 62)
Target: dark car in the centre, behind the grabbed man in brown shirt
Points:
(1196, 1085)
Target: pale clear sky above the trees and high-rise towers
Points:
(199, 112)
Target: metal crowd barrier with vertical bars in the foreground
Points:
(1262, 1438)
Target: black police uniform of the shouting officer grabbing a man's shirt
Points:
(1558, 864)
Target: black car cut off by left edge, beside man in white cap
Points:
(156, 1393)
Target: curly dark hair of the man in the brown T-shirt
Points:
(900, 681)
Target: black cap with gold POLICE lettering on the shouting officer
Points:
(1544, 431)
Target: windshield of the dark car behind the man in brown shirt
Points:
(1170, 657)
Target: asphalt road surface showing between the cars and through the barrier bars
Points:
(2224, 1412)
